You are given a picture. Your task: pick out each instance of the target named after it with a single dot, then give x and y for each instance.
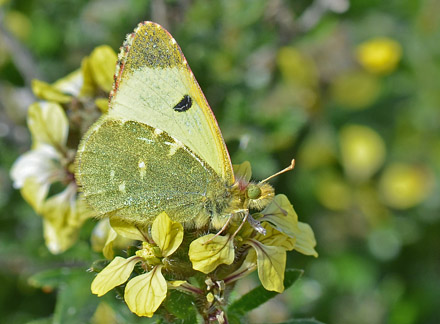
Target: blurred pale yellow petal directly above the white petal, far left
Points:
(48, 124)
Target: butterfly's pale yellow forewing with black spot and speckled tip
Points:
(154, 85)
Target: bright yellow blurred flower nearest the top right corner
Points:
(379, 55)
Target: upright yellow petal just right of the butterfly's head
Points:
(281, 214)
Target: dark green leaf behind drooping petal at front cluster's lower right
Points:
(259, 296)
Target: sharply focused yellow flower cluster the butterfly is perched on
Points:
(171, 257)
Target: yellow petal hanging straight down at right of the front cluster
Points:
(271, 263)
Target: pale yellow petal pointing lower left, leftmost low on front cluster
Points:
(114, 274)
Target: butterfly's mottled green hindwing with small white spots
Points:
(142, 172)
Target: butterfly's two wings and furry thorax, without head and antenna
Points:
(159, 147)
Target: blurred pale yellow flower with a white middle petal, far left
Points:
(47, 163)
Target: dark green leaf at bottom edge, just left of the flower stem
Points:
(181, 305)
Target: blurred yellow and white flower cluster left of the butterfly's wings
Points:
(44, 174)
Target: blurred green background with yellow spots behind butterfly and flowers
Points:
(350, 89)
